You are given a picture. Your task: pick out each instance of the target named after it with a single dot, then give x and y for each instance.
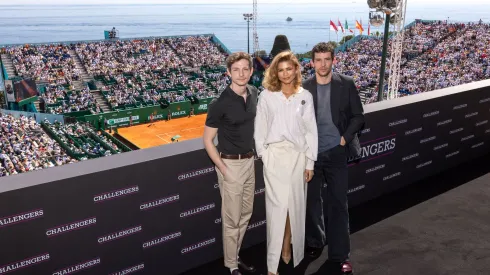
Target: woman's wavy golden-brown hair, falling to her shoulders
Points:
(271, 81)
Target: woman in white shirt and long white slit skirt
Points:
(286, 139)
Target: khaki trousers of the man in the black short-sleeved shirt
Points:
(237, 190)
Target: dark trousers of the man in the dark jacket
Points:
(330, 168)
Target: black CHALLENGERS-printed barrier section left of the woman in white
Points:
(158, 217)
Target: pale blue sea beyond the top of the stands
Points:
(310, 24)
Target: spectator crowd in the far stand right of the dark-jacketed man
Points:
(435, 55)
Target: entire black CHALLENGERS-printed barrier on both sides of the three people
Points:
(163, 216)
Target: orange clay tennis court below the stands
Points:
(161, 132)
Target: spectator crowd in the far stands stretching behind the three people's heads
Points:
(146, 72)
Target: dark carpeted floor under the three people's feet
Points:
(437, 226)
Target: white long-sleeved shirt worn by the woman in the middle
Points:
(292, 119)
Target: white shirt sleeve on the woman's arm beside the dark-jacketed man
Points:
(311, 133)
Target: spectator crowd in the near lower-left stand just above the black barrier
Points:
(26, 146)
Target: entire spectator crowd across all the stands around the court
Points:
(154, 71)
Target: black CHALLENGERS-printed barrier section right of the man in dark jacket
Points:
(404, 144)
